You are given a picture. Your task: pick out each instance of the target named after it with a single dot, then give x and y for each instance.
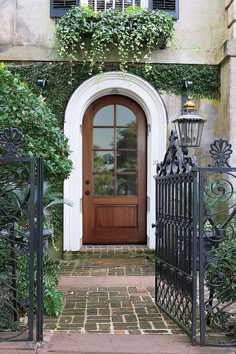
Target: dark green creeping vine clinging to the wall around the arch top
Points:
(64, 78)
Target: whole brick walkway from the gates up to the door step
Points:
(111, 309)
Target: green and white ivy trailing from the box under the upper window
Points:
(92, 36)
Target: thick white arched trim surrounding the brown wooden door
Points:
(98, 86)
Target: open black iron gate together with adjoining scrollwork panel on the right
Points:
(195, 279)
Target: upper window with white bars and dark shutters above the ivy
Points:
(60, 7)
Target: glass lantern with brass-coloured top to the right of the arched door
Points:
(189, 125)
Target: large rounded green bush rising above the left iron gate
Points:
(21, 108)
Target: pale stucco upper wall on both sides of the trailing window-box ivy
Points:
(26, 32)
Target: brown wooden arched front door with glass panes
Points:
(114, 177)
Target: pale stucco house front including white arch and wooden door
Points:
(118, 124)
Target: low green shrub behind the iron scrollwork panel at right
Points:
(221, 274)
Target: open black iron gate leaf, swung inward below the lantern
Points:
(176, 246)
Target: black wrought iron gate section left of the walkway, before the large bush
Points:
(21, 241)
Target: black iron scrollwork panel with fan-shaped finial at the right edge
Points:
(220, 249)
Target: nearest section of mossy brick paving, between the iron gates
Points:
(113, 310)
